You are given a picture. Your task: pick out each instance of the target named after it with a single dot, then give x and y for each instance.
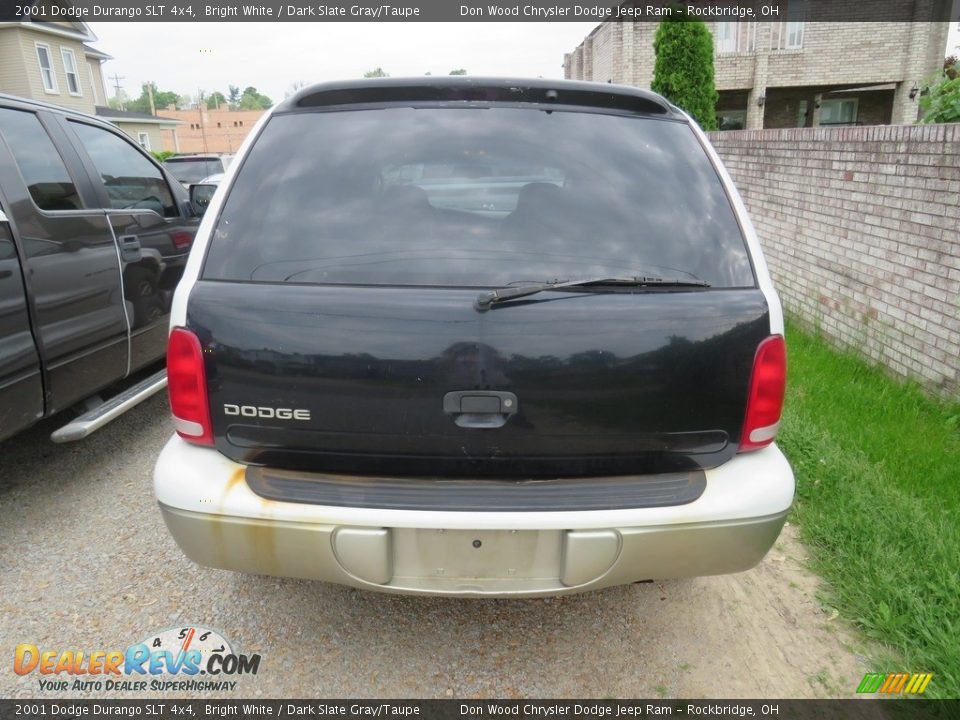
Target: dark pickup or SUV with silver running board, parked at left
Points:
(94, 236)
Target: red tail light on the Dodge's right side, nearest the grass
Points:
(765, 398)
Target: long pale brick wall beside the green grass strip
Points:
(861, 229)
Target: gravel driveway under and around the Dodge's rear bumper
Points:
(86, 563)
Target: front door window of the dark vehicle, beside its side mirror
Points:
(132, 181)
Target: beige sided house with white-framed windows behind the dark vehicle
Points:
(52, 62)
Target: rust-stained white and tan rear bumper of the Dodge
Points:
(219, 522)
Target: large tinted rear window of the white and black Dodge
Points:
(475, 197)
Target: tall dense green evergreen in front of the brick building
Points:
(683, 69)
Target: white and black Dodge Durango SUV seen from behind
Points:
(476, 337)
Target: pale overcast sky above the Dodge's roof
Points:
(187, 57)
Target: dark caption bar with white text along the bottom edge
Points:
(170, 709)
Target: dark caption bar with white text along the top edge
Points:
(477, 10)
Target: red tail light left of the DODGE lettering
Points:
(187, 385)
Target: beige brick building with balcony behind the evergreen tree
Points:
(787, 74)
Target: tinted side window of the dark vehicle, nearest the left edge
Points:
(41, 166)
